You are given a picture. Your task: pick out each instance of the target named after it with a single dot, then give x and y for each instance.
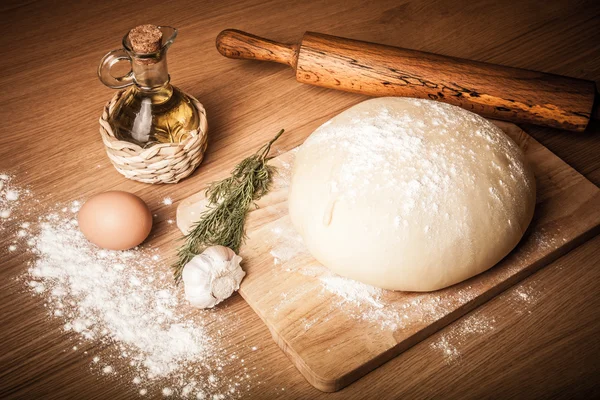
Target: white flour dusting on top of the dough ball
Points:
(386, 149)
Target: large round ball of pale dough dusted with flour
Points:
(409, 194)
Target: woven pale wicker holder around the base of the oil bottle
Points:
(161, 163)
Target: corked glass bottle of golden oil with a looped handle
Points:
(150, 110)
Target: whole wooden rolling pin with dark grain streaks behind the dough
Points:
(494, 91)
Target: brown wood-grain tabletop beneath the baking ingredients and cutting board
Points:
(51, 100)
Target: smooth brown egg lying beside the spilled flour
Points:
(115, 220)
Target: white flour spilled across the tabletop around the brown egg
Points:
(126, 301)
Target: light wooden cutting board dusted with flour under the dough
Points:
(335, 336)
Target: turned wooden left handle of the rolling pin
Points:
(237, 44)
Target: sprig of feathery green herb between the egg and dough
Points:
(228, 203)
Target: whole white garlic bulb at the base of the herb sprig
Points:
(212, 276)
